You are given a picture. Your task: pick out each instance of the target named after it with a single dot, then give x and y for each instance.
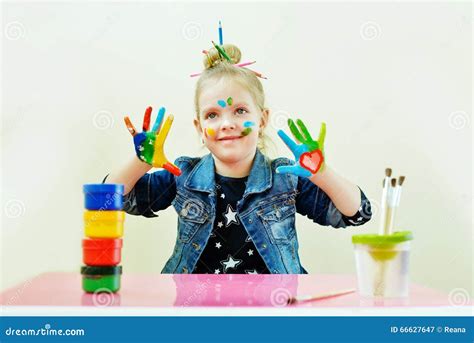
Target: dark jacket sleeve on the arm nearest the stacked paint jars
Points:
(152, 192)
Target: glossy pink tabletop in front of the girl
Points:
(207, 290)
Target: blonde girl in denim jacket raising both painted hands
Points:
(236, 208)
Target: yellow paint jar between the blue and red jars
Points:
(104, 224)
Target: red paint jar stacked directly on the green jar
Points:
(102, 251)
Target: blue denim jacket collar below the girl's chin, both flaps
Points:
(202, 176)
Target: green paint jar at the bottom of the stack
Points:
(101, 278)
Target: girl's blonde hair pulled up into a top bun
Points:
(216, 67)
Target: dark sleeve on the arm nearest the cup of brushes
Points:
(312, 202)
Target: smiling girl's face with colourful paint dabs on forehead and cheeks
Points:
(229, 121)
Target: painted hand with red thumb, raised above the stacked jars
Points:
(149, 144)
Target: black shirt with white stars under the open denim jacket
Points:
(230, 249)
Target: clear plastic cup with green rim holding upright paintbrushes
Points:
(382, 260)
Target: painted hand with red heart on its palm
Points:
(309, 155)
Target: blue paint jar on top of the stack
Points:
(103, 197)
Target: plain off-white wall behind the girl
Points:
(392, 81)
